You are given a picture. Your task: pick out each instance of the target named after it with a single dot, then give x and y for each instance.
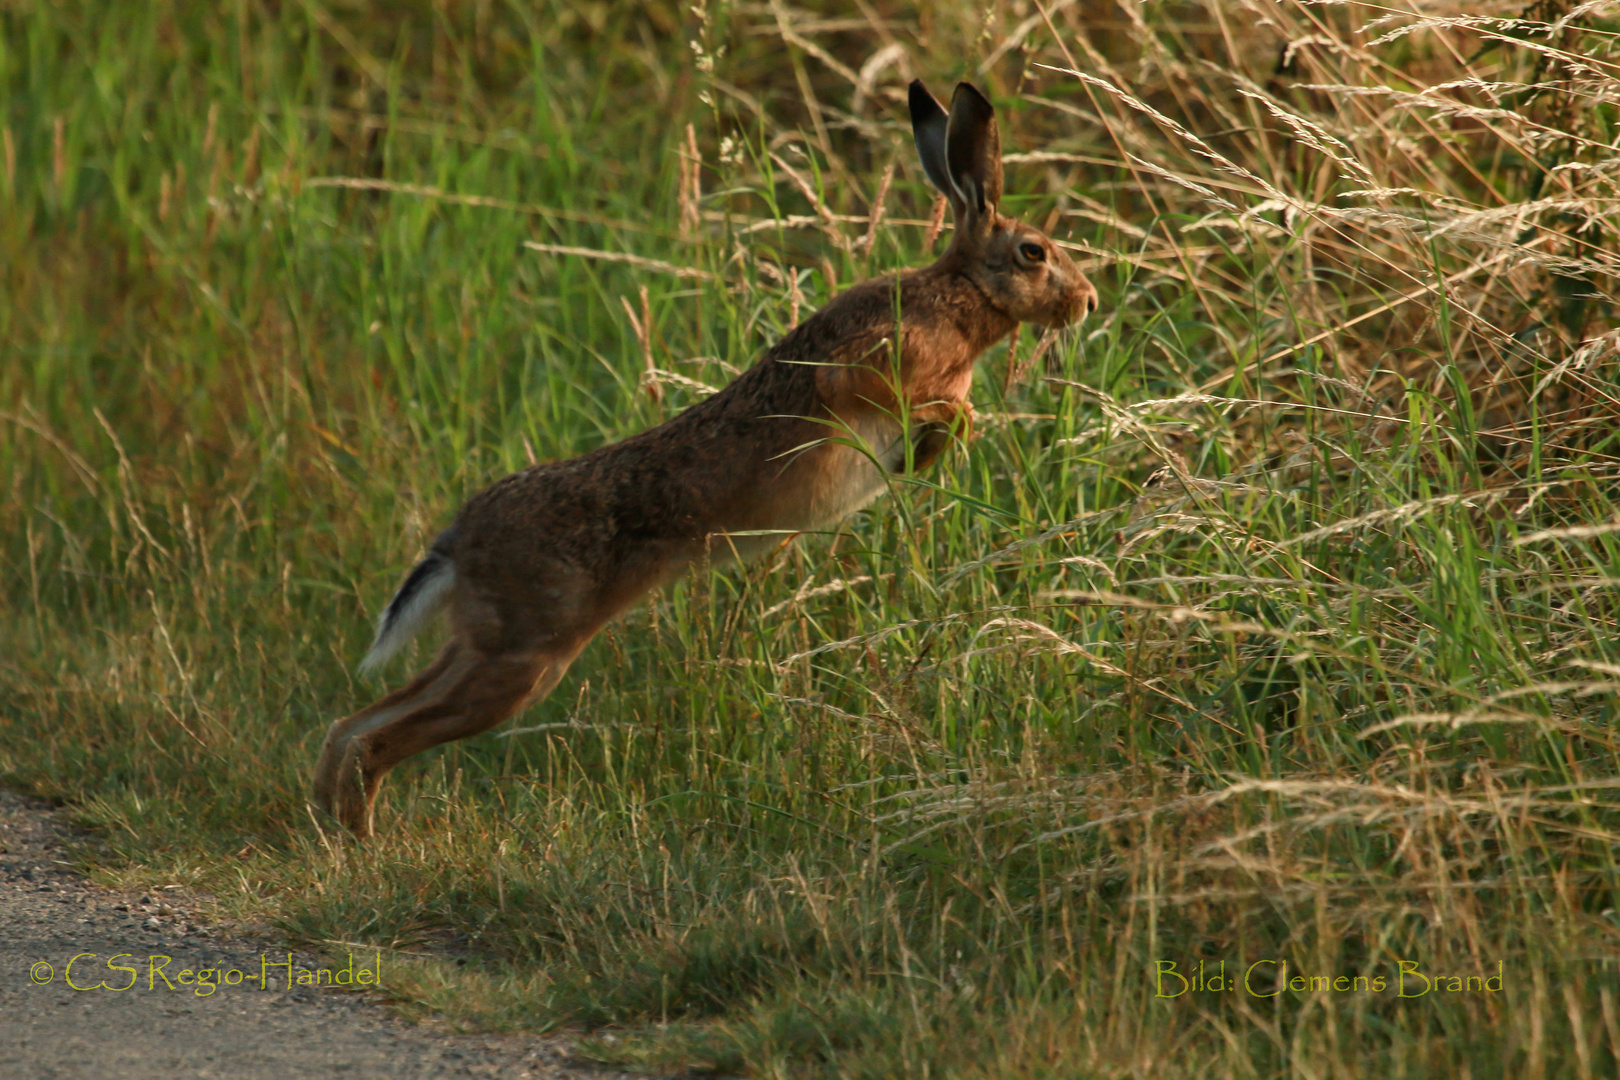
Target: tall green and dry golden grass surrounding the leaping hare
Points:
(1133, 679)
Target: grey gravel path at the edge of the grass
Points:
(171, 1032)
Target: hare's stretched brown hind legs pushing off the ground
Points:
(464, 694)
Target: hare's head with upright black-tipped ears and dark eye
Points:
(1017, 266)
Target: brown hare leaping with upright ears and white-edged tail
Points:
(876, 383)
